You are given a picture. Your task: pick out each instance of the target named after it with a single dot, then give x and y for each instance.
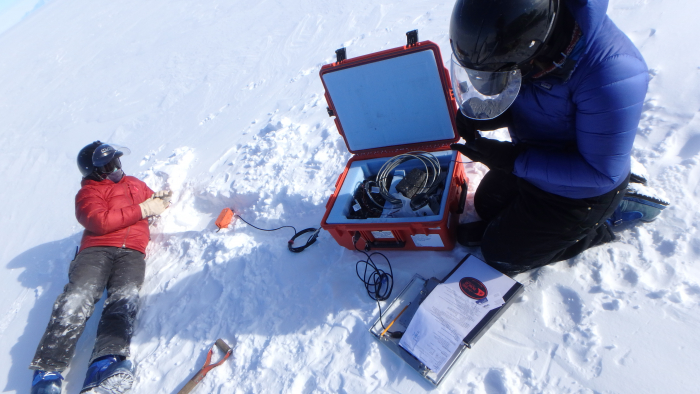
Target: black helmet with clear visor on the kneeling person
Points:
(491, 40)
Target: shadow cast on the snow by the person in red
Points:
(45, 273)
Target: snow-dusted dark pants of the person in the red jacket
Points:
(119, 270)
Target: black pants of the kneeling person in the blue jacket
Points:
(529, 227)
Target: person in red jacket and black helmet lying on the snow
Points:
(114, 209)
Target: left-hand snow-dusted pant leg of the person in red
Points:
(87, 277)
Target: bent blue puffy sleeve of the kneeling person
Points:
(609, 105)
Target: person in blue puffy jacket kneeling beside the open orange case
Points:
(569, 86)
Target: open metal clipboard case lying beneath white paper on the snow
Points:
(410, 299)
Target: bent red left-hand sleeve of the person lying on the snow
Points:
(91, 210)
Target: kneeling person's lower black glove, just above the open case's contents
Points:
(496, 155)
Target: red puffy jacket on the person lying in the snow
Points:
(111, 214)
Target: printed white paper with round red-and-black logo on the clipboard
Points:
(452, 310)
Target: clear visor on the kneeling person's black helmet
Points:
(484, 94)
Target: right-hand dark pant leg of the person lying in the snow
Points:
(117, 322)
